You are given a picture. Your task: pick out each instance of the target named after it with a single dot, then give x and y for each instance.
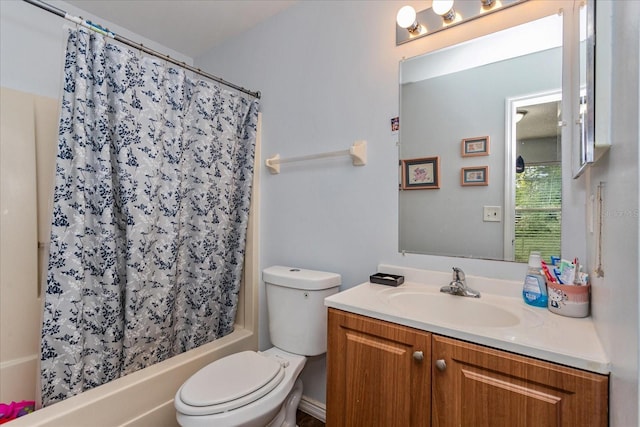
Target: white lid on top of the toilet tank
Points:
(300, 278)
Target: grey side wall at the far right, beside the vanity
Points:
(616, 295)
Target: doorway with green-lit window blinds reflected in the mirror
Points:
(538, 179)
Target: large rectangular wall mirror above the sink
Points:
(473, 92)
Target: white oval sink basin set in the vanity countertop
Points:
(438, 307)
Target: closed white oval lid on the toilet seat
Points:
(231, 382)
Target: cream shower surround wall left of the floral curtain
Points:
(18, 242)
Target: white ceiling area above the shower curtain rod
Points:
(191, 27)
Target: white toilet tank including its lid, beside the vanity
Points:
(295, 306)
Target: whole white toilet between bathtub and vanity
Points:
(258, 389)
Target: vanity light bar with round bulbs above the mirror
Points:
(412, 24)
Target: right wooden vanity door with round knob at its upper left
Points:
(485, 387)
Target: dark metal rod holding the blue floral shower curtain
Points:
(106, 32)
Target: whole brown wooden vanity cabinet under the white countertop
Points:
(376, 376)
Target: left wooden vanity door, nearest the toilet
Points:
(373, 377)
